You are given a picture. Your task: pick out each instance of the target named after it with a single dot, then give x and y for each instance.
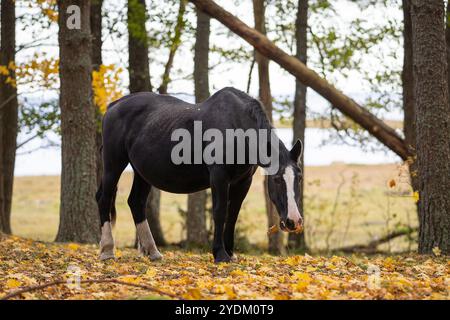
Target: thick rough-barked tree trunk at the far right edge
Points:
(432, 124)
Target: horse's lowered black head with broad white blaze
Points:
(284, 189)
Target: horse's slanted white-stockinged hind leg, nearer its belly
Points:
(137, 201)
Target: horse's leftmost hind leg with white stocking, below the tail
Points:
(105, 197)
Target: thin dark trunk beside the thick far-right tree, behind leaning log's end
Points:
(409, 118)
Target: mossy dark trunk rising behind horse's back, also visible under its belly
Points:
(139, 72)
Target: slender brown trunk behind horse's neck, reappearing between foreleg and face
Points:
(276, 239)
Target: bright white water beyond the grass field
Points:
(48, 161)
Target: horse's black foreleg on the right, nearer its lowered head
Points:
(238, 192)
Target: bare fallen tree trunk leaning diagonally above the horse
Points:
(347, 106)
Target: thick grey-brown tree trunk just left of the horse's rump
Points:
(79, 220)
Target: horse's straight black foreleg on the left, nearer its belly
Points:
(219, 189)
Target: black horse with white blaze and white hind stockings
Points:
(139, 129)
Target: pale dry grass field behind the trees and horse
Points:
(344, 204)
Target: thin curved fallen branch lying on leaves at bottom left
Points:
(59, 282)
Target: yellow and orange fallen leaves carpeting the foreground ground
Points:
(194, 276)
